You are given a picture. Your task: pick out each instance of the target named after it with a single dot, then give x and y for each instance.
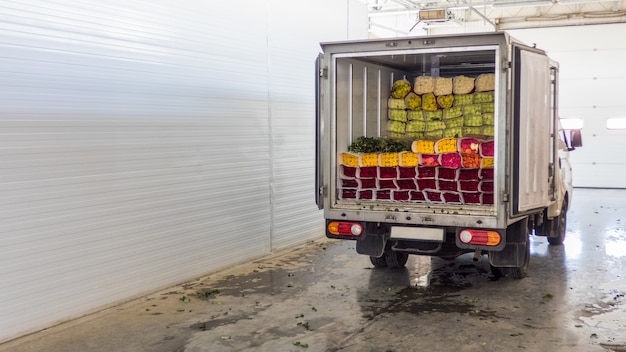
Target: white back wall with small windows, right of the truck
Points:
(591, 84)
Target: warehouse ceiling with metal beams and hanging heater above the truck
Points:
(404, 16)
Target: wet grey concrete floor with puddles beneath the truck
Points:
(324, 297)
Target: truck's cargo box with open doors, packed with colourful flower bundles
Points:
(358, 87)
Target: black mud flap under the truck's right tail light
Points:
(515, 252)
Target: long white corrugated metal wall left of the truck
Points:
(143, 143)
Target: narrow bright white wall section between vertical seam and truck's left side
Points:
(294, 44)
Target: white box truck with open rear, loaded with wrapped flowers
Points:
(441, 146)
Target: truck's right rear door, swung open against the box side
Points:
(532, 122)
